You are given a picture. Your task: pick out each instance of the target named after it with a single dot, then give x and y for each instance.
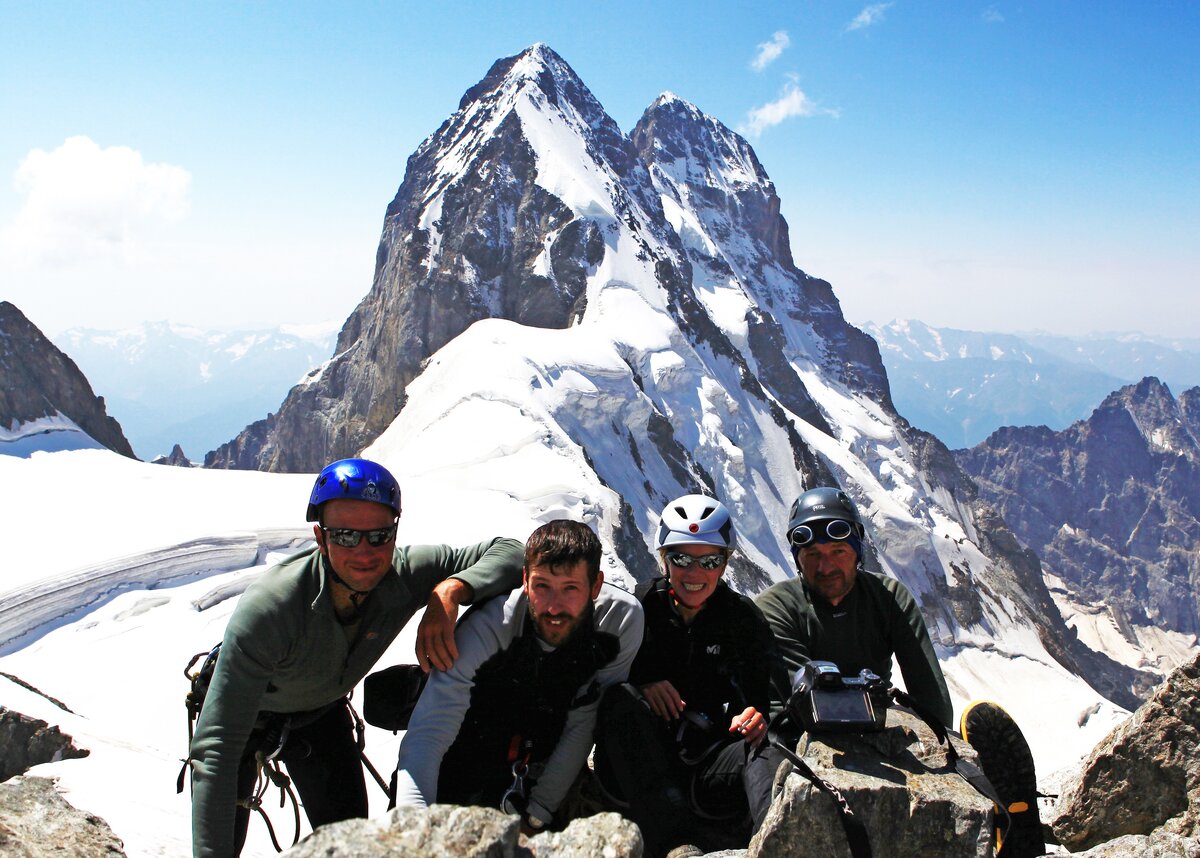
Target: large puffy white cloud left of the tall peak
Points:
(85, 203)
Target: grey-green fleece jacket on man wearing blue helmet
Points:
(285, 652)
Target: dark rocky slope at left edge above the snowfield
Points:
(39, 381)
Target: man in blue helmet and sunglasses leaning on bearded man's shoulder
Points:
(308, 632)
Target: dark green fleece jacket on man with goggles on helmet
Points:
(877, 620)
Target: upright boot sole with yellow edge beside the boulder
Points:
(1006, 760)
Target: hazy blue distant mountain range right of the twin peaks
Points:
(963, 386)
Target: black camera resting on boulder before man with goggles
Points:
(826, 701)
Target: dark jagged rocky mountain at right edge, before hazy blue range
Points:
(1112, 505)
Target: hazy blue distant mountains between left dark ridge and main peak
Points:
(175, 385)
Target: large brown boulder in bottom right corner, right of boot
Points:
(1145, 777)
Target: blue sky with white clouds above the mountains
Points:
(991, 166)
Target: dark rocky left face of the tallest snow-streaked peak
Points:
(470, 236)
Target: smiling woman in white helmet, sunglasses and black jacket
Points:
(699, 692)
